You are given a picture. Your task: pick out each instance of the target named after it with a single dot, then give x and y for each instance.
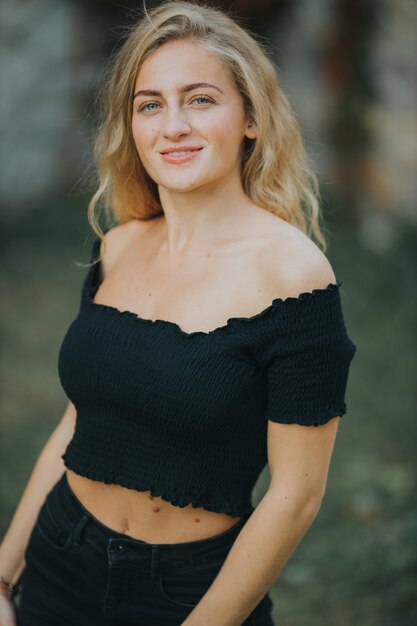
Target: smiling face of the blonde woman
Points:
(188, 120)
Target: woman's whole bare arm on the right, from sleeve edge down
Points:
(299, 458)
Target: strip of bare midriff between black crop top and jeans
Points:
(142, 516)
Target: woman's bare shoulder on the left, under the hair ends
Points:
(118, 239)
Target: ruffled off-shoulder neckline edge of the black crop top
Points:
(276, 302)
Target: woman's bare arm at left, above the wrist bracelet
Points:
(48, 469)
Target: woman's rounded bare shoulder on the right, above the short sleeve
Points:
(292, 263)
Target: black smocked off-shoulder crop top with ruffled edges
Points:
(184, 415)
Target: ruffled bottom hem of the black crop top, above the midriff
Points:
(173, 498)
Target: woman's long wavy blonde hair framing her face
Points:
(275, 171)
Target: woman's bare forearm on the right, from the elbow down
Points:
(256, 558)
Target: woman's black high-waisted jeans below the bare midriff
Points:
(80, 572)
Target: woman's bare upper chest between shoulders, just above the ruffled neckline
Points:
(201, 294)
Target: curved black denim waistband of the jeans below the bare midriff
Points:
(106, 538)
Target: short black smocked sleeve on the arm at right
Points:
(307, 355)
